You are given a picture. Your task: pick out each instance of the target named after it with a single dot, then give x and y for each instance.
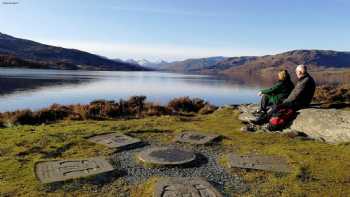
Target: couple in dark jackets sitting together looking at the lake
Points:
(283, 95)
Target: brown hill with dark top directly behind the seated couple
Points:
(326, 66)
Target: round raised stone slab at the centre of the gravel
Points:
(166, 156)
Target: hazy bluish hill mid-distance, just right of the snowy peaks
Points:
(192, 65)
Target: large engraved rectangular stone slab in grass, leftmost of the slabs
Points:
(54, 171)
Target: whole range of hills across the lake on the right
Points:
(315, 59)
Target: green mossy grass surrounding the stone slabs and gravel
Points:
(318, 169)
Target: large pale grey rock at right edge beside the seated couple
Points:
(328, 125)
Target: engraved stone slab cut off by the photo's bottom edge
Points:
(191, 187)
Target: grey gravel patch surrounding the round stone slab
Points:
(206, 165)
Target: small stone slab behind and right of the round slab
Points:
(196, 138)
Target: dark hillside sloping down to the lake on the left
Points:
(57, 57)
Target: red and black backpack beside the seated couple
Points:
(280, 119)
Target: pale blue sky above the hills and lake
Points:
(180, 29)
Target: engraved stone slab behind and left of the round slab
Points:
(114, 140)
